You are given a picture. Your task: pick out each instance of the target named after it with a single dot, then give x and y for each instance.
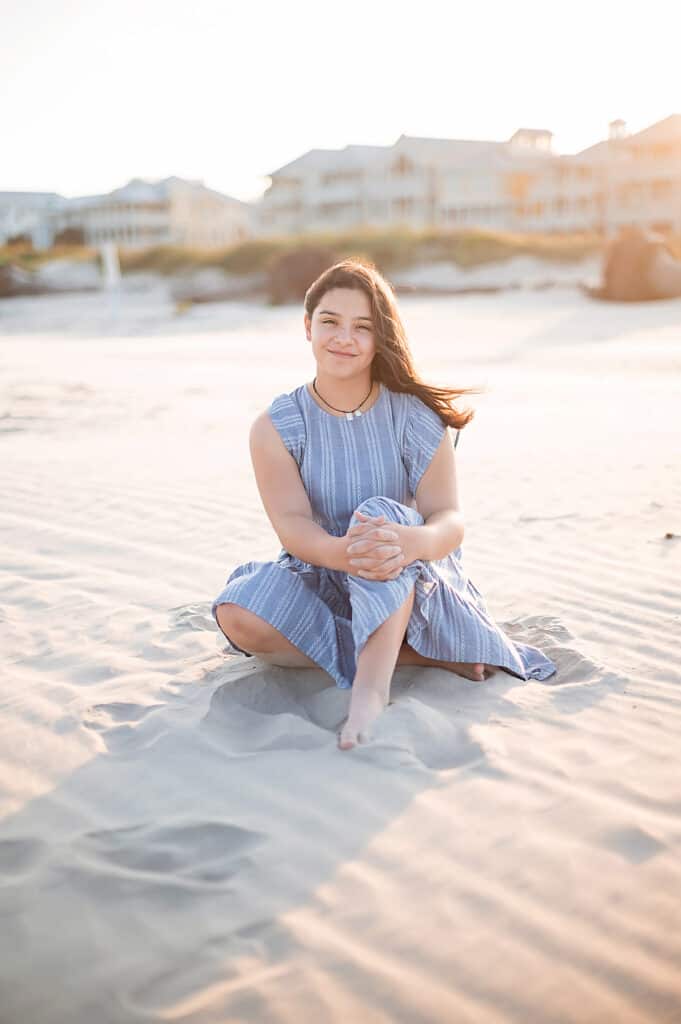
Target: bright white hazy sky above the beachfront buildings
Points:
(95, 93)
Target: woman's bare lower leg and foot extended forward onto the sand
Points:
(371, 687)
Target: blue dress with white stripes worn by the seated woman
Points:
(374, 463)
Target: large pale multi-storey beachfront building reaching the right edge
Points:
(519, 186)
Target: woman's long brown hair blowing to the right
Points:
(394, 364)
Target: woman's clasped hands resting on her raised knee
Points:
(377, 550)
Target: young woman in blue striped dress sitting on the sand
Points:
(357, 474)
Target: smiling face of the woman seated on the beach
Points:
(343, 333)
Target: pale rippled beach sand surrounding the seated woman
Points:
(181, 839)
